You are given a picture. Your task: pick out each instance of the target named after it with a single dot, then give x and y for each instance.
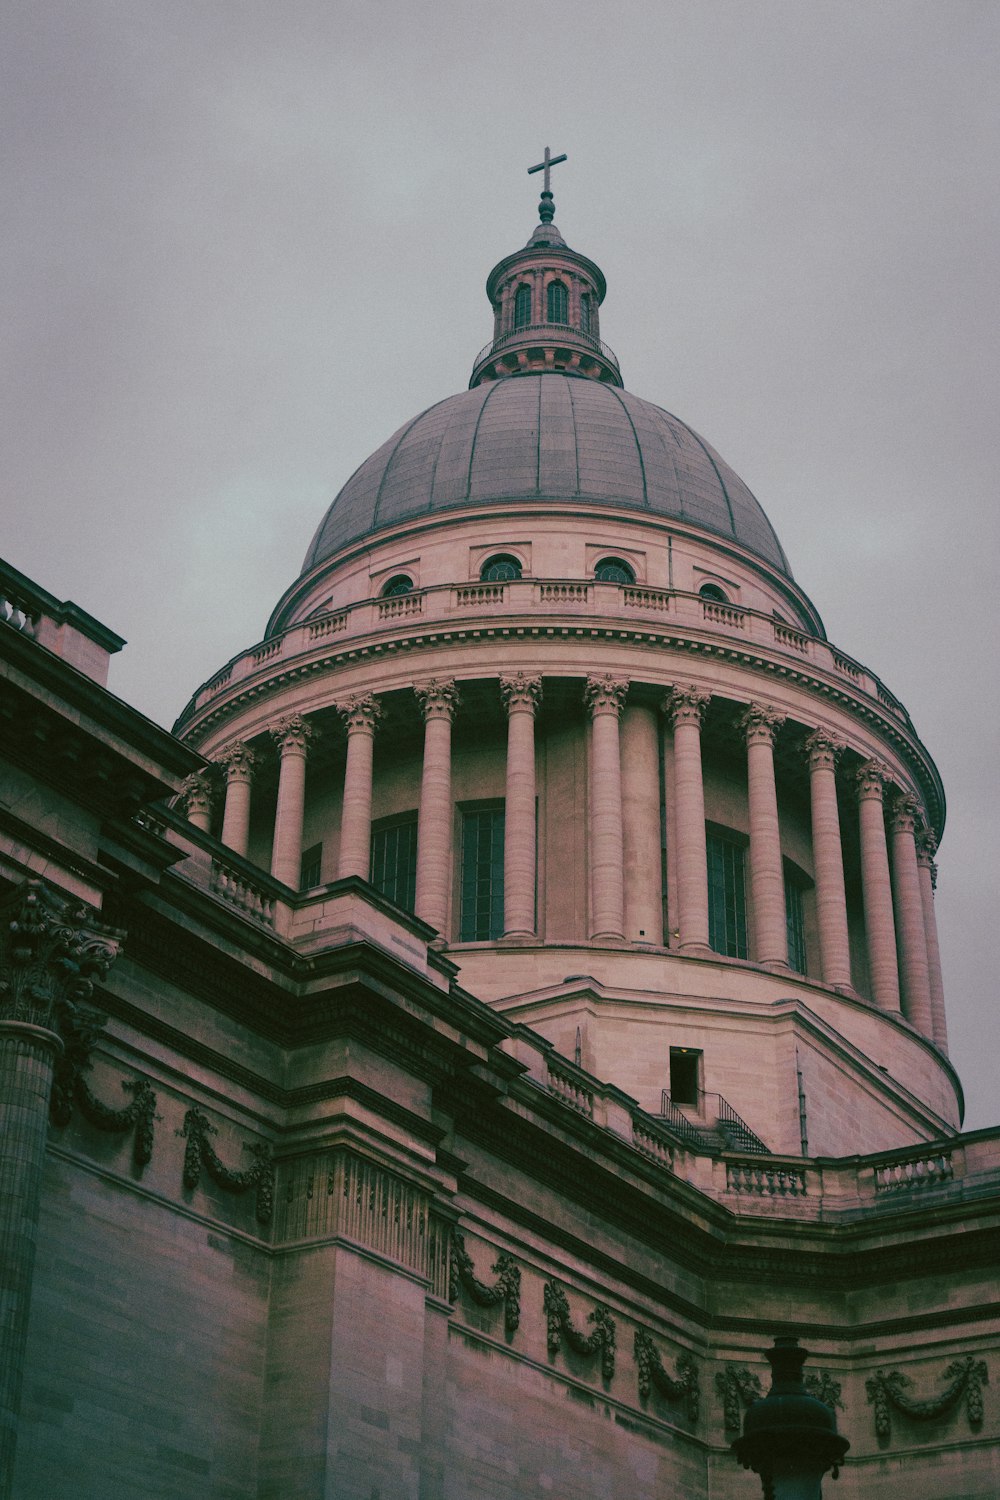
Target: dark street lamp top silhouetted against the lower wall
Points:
(791, 1438)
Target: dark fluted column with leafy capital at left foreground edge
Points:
(52, 952)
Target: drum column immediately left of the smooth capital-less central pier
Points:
(605, 698)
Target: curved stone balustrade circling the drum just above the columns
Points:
(458, 604)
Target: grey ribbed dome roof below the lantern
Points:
(546, 437)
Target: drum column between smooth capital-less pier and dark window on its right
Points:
(686, 707)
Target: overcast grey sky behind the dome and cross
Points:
(244, 242)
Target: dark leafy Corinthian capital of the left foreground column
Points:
(52, 953)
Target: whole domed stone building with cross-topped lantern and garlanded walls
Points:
(509, 998)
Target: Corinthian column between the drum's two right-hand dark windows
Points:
(767, 875)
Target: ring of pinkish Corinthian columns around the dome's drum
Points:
(624, 854)
